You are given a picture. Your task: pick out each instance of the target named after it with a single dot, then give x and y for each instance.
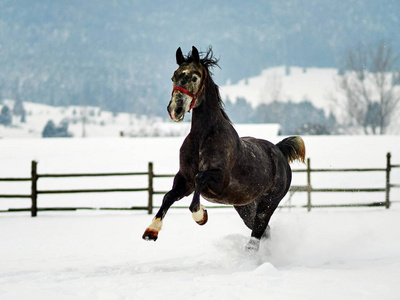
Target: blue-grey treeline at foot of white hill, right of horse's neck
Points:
(293, 118)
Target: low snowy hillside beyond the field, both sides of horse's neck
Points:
(93, 122)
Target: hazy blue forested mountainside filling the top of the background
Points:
(119, 55)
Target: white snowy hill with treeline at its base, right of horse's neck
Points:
(305, 96)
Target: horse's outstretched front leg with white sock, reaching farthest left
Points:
(179, 190)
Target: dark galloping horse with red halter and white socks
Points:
(251, 174)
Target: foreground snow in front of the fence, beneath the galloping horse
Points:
(323, 254)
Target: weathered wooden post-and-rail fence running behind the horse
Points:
(308, 188)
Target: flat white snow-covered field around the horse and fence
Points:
(325, 254)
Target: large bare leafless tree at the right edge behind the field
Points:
(370, 89)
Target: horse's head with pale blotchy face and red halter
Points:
(188, 85)
